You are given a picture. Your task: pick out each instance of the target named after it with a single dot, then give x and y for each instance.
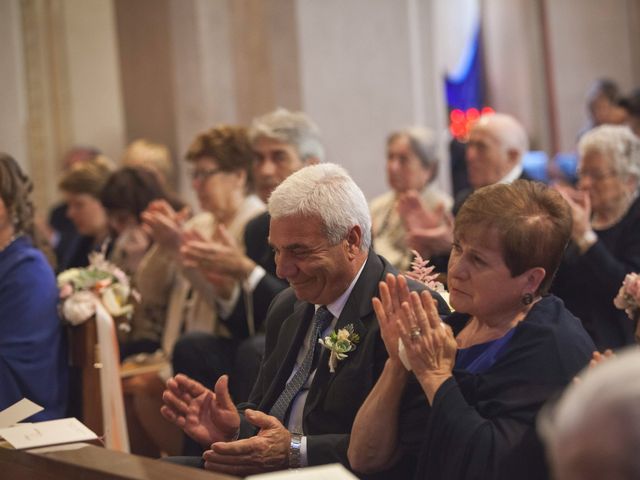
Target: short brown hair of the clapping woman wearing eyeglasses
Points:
(227, 145)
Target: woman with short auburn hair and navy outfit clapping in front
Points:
(480, 375)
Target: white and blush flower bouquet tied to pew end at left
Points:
(101, 281)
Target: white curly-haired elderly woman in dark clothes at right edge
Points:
(605, 238)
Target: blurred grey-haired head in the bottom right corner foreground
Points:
(593, 432)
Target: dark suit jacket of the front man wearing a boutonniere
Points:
(333, 399)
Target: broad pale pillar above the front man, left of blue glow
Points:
(366, 70)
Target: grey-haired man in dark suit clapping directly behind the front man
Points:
(283, 142)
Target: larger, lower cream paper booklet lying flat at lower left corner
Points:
(51, 432)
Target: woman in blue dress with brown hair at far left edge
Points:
(33, 361)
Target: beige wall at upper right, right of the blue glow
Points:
(587, 39)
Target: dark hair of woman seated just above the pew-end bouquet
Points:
(131, 189)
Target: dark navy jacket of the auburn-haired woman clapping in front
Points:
(481, 425)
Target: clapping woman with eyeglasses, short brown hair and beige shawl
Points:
(176, 297)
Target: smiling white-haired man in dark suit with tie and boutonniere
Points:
(304, 402)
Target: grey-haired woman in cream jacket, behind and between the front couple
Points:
(412, 166)
